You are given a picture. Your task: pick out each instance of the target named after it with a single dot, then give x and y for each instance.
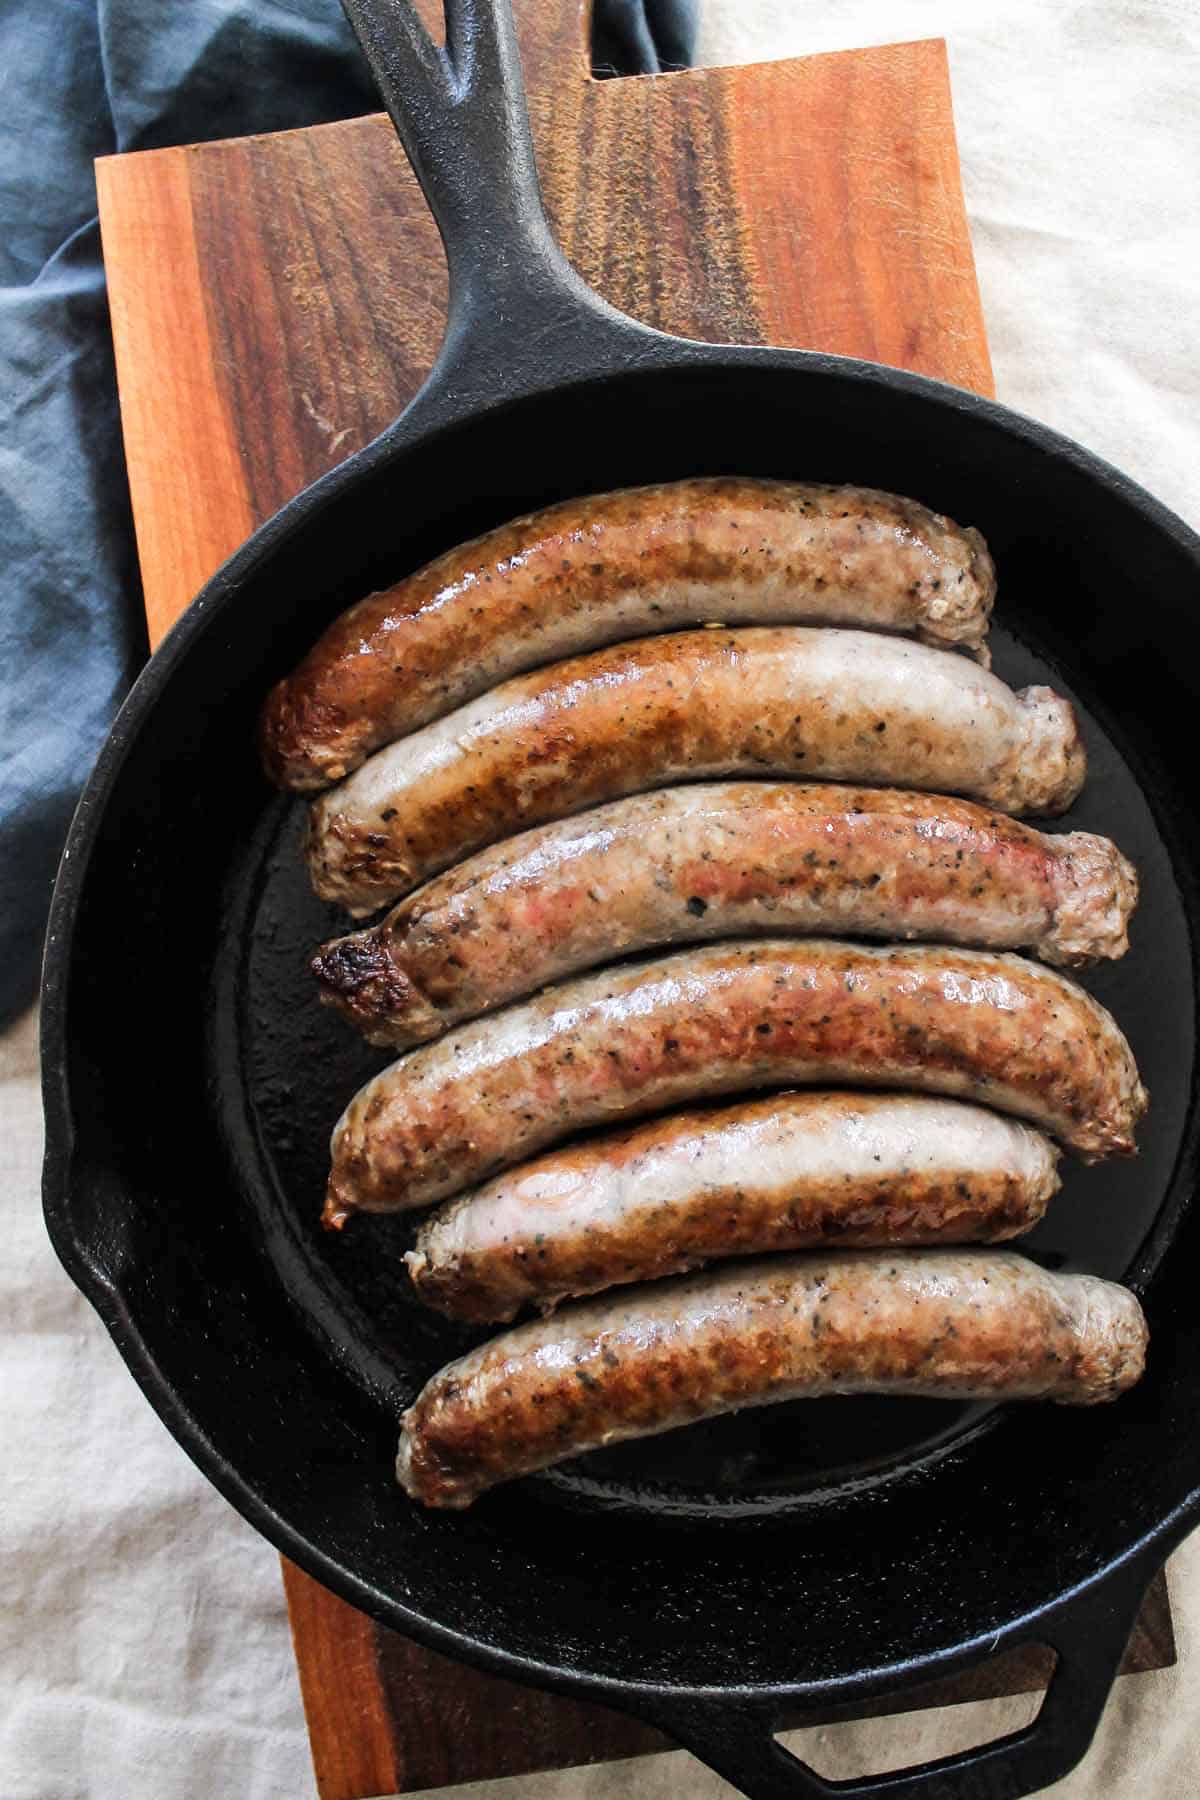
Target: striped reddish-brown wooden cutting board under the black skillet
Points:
(278, 300)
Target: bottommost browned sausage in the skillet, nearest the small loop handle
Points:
(944, 1324)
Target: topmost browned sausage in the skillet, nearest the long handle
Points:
(593, 571)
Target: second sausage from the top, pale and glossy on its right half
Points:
(845, 706)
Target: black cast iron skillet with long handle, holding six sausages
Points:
(731, 1574)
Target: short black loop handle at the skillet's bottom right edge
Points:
(1091, 1635)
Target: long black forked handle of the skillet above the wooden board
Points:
(521, 318)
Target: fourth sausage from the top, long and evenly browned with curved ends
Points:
(724, 1018)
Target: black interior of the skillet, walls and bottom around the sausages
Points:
(206, 1079)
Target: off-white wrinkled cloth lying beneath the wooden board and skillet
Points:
(145, 1650)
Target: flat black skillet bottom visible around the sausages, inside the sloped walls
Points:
(296, 1065)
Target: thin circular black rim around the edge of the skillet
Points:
(418, 427)
